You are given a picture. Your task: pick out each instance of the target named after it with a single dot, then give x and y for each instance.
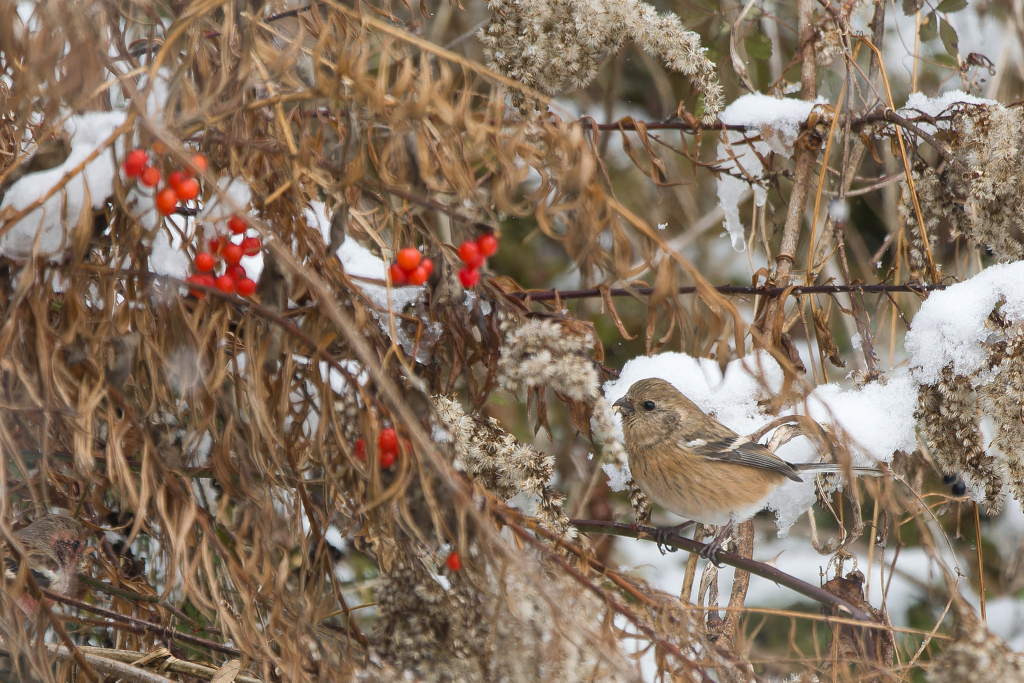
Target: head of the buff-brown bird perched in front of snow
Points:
(652, 410)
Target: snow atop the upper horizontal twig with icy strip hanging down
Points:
(778, 122)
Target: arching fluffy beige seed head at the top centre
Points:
(547, 45)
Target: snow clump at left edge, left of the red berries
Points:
(54, 222)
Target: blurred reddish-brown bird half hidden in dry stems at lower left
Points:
(54, 547)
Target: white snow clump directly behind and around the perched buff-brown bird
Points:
(734, 401)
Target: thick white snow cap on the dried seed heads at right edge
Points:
(950, 328)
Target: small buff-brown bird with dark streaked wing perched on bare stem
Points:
(698, 468)
